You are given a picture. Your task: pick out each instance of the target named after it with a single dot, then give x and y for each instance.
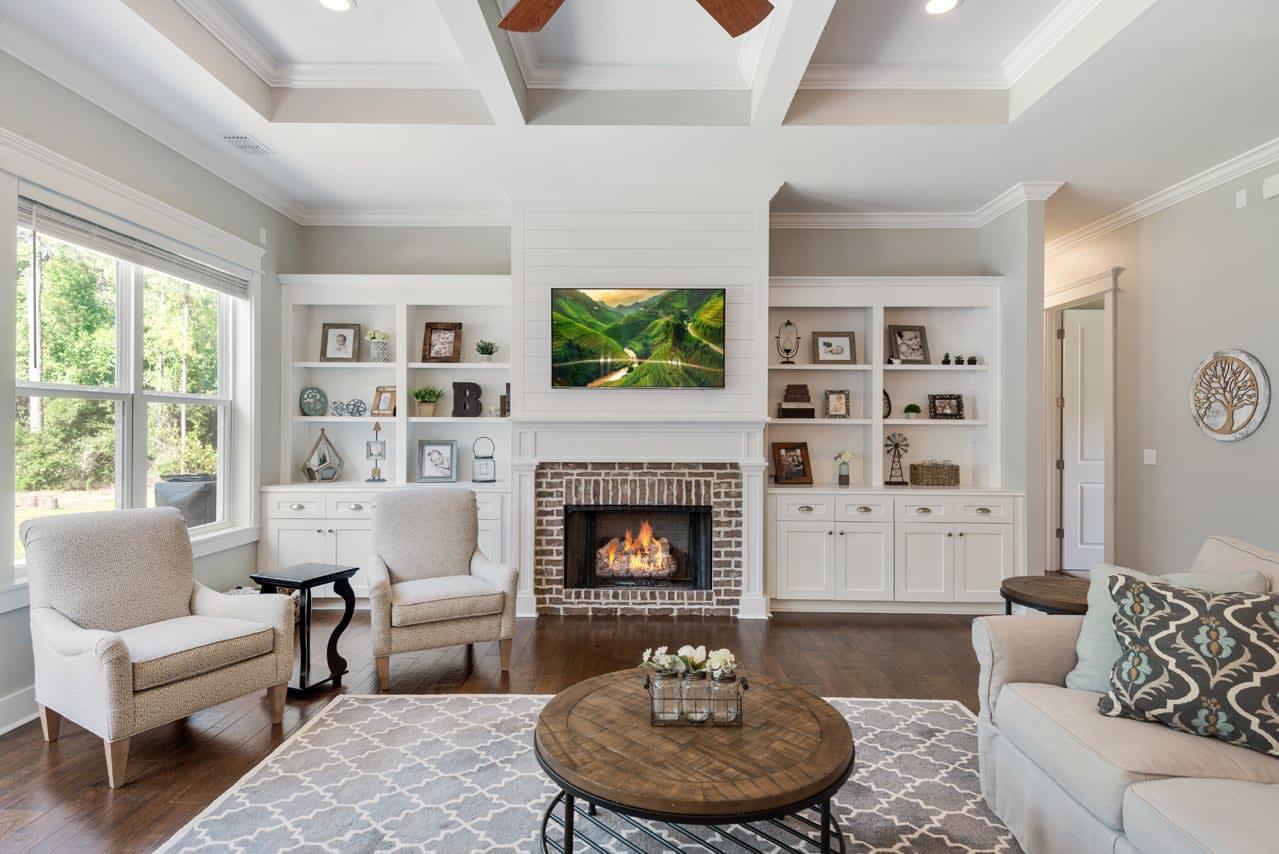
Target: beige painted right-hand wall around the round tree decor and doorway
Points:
(1199, 277)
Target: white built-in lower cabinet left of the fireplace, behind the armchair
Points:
(332, 525)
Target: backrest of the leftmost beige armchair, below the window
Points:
(112, 571)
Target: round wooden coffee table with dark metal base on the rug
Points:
(791, 755)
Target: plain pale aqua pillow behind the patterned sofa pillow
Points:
(1098, 646)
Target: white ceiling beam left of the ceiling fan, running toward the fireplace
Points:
(490, 57)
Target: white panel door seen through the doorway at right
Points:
(1084, 440)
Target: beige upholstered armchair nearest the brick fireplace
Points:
(429, 584)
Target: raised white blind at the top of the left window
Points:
(43, 219)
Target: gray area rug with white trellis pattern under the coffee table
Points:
(457, 774)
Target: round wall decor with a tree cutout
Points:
(1230, 396)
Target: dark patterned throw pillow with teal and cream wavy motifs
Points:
(1199, 663)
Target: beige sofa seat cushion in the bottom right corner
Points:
(1202, 816)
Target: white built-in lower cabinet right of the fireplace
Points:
(923, 547)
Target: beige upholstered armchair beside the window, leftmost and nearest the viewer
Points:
(126, 639)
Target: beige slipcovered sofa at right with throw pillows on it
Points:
(1066, 779)
